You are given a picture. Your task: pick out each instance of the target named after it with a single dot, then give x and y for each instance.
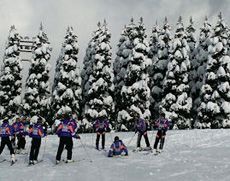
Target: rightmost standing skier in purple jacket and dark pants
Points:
(162, 125)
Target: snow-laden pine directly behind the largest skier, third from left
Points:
(67, 82)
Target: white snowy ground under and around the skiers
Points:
(188, 155)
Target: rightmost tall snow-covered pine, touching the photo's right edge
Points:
(214, 110)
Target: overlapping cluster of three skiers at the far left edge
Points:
(19, 130)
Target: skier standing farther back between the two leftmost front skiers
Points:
(19, 132)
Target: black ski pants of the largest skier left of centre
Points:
(66, 142)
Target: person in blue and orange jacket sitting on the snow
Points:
(117, 148)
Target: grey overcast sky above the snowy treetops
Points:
(83, 15)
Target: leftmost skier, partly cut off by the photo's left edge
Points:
(5, 133)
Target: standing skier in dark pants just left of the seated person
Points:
(101, 125)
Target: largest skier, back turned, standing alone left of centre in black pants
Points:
(66, 131)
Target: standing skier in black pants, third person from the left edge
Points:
(36, 132)
